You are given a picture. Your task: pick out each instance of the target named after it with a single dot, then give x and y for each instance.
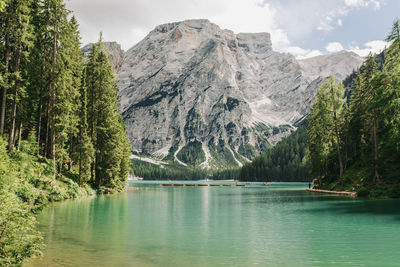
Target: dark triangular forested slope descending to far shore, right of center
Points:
(284, 162)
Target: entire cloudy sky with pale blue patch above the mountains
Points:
(302, 27)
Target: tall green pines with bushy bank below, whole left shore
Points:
(61, 133)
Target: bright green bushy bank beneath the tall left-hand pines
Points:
(26, 186)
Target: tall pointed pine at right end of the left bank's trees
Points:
(111, 163)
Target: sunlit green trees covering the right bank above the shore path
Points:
(354, 138)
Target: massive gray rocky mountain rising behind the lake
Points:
(192, 82)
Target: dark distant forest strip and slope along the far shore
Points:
(284, 162)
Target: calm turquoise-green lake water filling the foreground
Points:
(278, 225)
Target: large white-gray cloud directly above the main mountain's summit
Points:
(129, 21)
